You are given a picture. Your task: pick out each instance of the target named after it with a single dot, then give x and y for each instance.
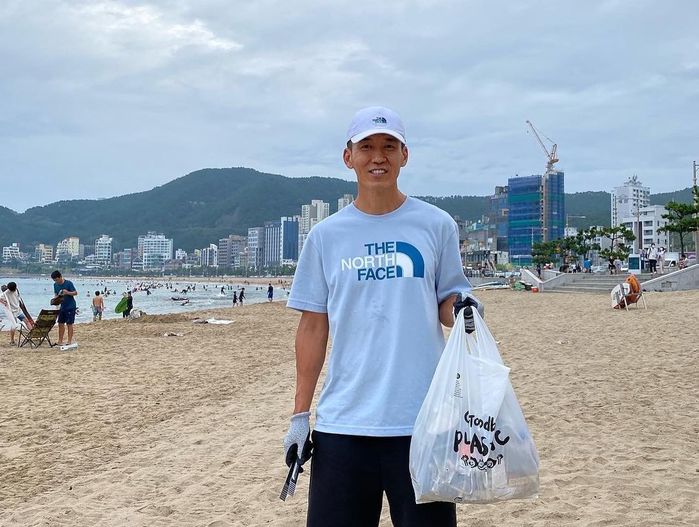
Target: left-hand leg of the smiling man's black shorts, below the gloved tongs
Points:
(345, 488)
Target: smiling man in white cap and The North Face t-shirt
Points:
(381, 275)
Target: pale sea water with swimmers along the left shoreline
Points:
(38, 291)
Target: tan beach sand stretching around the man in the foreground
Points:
(135, 428)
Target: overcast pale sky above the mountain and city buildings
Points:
(103, 98)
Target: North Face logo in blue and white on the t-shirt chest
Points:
(386, 260)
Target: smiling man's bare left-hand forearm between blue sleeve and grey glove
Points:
(311, 345)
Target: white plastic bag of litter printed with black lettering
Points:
(470, 442)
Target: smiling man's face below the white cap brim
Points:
(377, 161)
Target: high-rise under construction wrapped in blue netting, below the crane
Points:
(536, 212)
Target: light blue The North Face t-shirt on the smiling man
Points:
(380, 278)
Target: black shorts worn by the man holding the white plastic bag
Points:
(349, 475)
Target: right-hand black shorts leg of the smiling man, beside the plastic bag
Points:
(395, 470)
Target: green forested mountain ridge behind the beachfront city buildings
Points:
(201, 207)
